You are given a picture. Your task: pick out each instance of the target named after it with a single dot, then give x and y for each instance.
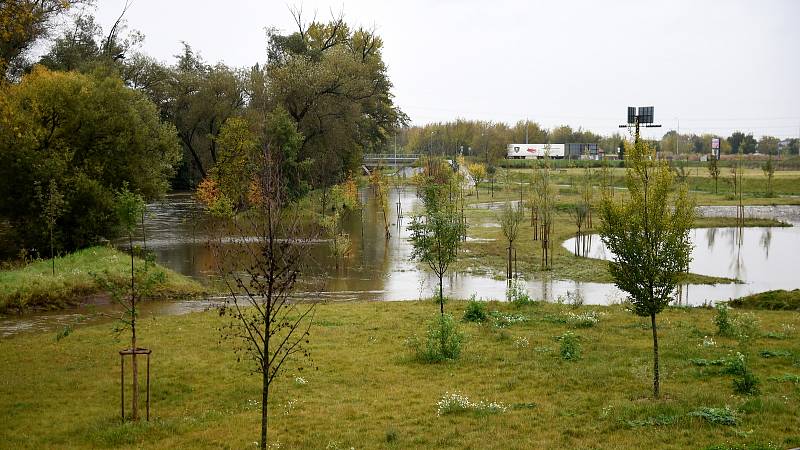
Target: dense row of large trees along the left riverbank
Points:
(94, 112)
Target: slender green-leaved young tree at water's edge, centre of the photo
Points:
(435, 236)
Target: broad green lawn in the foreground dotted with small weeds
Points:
(369, 392)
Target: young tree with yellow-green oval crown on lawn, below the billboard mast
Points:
(649, 236)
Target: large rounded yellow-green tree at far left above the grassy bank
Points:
(87, 134)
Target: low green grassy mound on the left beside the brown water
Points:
(35, 287)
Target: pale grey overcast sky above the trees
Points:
(716, 66)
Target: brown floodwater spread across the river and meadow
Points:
(379, 269)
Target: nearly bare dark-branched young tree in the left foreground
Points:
(271, 325)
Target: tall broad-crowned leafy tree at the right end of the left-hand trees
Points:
(333, 82)
